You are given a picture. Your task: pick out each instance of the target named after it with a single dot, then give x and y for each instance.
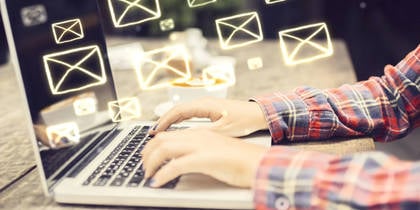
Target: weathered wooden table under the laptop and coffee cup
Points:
(19, 178)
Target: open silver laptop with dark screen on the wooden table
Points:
(60, 57)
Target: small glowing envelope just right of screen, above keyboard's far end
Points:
(124, 109)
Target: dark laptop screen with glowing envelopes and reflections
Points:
(65, 71)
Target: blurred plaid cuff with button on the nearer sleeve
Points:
(285, 178)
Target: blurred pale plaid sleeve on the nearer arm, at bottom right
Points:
(293, 179)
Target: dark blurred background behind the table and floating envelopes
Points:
(376, 32)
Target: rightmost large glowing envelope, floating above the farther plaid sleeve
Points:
(303, 44)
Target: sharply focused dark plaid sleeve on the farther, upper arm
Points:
(385, 108)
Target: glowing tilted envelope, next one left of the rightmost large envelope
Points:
(239, 30)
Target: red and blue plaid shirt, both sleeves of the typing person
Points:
(385, 108)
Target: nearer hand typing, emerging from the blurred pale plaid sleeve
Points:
(202, 151)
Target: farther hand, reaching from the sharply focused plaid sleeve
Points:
(232, 118)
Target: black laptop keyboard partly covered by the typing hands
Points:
(124, 165)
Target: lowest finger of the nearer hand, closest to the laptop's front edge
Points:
(174, 169)
